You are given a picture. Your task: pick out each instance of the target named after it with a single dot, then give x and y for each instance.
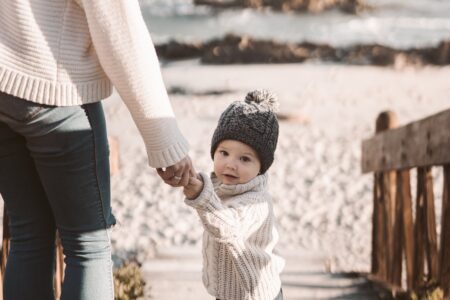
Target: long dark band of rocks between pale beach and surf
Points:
(233, 49)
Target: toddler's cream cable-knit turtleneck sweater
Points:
(238, 241)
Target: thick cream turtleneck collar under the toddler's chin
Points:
(228, 190)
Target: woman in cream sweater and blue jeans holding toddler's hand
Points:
(58, 59)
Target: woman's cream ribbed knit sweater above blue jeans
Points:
(67, 52)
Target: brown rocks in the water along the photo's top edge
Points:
(315, 6)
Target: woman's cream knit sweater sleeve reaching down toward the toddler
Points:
(128, 57)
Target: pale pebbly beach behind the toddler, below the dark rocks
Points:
(322, 201)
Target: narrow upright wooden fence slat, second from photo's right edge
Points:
(430, 221)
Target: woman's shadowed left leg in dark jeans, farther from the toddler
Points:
(29, 271)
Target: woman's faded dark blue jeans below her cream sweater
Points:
(54, 174)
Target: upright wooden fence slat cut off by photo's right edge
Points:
(444, 258)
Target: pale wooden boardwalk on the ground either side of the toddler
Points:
(176, 274)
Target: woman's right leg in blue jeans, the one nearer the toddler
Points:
(68, 146)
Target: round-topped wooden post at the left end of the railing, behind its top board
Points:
(383, 216)
